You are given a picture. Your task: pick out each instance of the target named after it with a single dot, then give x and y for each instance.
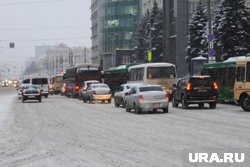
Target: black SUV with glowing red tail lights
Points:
(195, 90)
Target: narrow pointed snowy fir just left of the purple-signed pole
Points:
(197, 38)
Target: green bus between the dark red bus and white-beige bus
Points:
(115, 77)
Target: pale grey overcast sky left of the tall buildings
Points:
(36, 22)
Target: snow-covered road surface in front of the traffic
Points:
(67, 132)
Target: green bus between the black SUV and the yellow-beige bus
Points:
(224, 74)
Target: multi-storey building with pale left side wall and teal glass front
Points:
(113, 28)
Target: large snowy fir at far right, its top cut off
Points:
(233, 30)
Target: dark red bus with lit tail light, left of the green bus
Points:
(75, 76)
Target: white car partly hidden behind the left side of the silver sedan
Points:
(119, 97)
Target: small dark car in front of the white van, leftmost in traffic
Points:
(31, 92)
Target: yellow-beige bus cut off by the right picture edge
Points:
(242, 83)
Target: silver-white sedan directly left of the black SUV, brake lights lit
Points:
(142, 98)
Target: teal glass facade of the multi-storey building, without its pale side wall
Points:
(120, 21)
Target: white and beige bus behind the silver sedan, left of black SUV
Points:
(163, 74)
